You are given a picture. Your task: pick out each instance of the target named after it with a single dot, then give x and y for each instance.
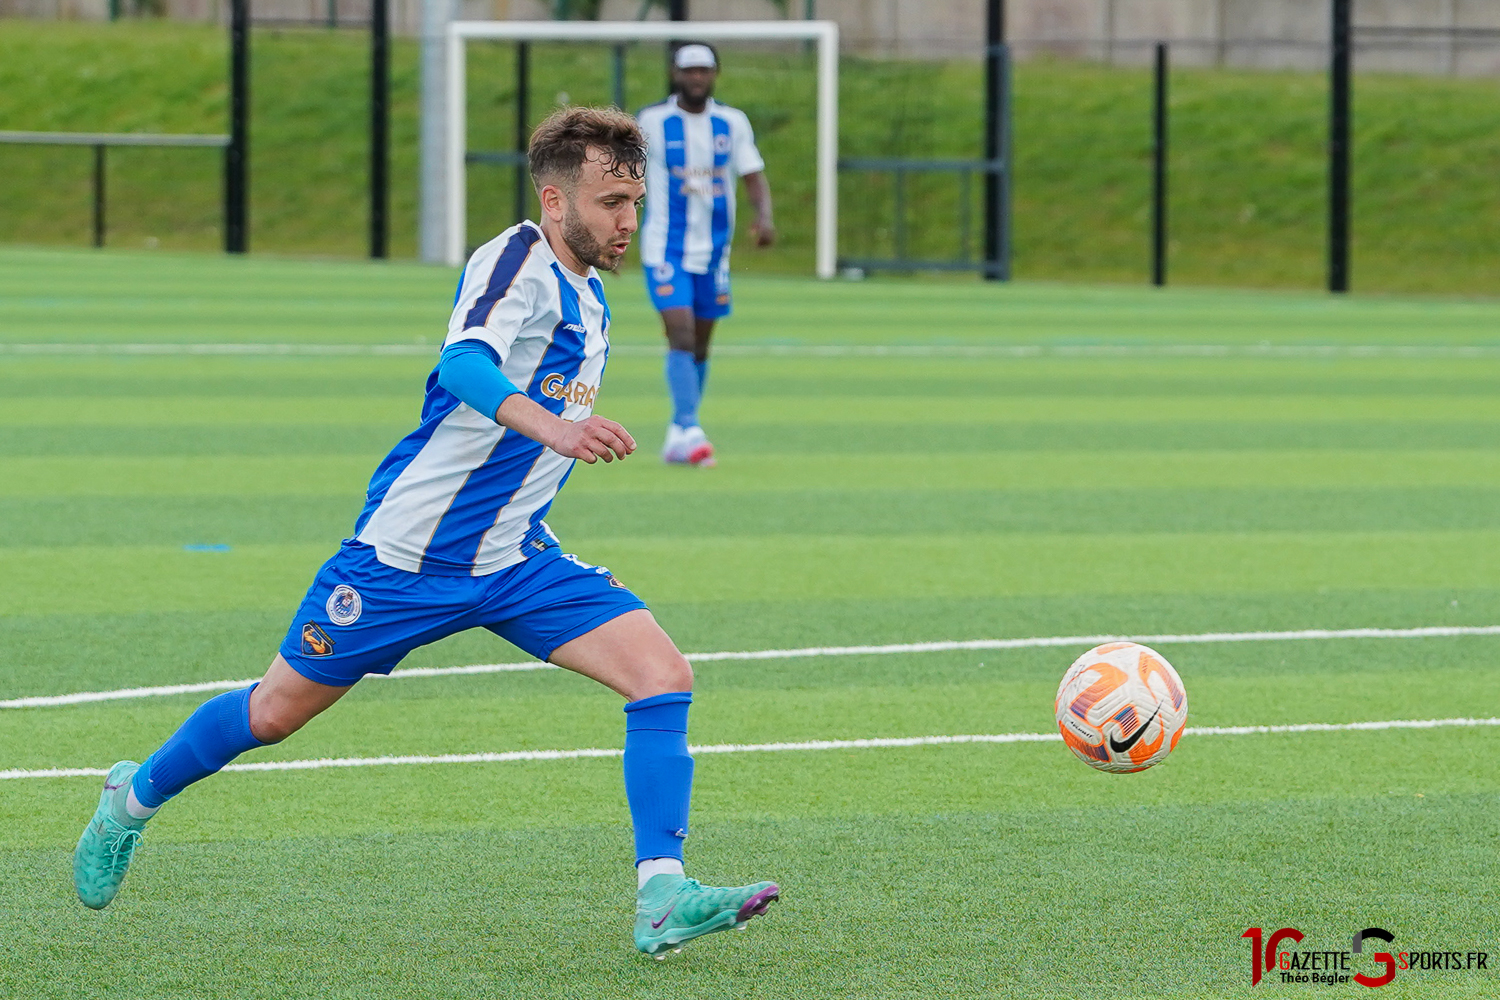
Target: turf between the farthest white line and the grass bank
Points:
(134, 298)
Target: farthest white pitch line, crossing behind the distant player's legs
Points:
(811, 350)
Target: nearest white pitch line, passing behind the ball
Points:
(512, 756)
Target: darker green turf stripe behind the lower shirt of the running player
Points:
(254, 518)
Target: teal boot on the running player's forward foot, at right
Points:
(673, 911)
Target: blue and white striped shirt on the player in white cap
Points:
(692, 166)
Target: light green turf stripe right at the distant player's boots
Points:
(347, 476)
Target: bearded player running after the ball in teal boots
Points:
(452, 537)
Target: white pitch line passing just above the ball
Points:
(1429, 632)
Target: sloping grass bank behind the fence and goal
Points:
(1247, 185)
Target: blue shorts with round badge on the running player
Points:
(362, 617)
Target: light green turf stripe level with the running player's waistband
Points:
(131, 579)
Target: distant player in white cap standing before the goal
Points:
(695, 149)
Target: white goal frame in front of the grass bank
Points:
(826, 35)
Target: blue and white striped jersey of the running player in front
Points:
(463, 496)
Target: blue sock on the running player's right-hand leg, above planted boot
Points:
(659, 773)
